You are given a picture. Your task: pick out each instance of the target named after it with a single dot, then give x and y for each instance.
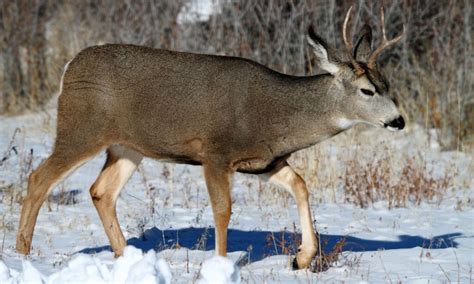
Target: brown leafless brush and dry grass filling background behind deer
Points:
(431, 71)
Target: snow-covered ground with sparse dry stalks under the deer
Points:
(165, 207)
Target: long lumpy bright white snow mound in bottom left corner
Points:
(132, 267)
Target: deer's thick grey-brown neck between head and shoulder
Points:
(310, 112)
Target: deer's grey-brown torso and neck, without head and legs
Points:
(231, 109)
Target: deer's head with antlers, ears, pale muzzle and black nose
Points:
(361, 88)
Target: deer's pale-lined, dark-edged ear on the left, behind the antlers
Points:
(325, 55)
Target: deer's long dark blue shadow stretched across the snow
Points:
(260, 244)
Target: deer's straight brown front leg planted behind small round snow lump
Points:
(218, 181)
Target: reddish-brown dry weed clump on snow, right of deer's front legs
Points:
(379, 179)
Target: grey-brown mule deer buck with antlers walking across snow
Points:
(227, 114)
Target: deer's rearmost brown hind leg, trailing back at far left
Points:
(60, 164)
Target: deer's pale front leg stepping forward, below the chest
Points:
(287, 178)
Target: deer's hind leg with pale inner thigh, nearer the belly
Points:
(120, 165)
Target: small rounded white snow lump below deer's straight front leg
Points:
(217, 270)
